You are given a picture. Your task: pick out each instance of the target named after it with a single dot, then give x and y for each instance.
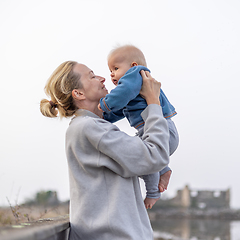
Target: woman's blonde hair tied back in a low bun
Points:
(59, 88)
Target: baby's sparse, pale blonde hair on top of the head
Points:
(130, 53)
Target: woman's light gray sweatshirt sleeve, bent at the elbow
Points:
(130, 156)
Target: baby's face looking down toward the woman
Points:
(118, 67)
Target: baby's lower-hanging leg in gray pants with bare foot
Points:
(153, 193)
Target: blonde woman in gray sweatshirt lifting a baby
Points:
(104, 163)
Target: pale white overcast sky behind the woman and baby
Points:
(192, 47)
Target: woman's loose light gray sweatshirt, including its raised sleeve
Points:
(104, 164)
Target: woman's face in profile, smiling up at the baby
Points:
(93, 85)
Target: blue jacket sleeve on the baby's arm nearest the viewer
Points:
(127, 89)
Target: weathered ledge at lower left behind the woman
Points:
(43, 229)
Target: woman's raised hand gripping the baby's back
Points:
(150, 88)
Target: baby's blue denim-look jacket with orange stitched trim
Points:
(125, 101)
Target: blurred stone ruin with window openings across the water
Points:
(200, 199)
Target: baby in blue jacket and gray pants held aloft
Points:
(125, 64)
